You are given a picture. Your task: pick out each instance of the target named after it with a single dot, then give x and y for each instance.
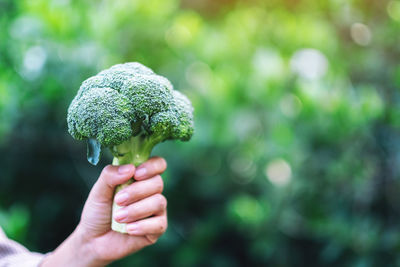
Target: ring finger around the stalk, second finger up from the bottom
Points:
(153, 205)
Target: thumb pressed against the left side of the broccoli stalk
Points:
(110, 177)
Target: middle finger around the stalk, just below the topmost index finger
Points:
(140, 190)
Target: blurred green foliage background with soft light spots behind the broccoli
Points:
(296, 156)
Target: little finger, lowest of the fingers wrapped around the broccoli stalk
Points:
(151, 226)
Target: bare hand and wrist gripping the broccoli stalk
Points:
(93, 243)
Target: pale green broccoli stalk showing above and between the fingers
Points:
(134, 151)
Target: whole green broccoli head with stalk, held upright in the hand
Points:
(128, 109)
